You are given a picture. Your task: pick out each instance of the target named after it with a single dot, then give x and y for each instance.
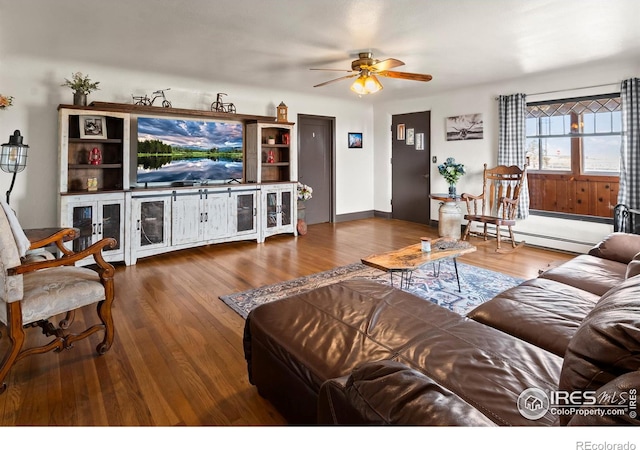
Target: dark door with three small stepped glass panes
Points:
(410, 155)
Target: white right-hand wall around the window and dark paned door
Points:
(588, 80)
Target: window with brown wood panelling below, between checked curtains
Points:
(573, 155)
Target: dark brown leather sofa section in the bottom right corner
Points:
(621, 394)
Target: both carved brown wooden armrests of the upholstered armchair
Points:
(70, 258)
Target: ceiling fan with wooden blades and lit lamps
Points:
(366, 68)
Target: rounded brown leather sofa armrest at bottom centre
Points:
(389, 392)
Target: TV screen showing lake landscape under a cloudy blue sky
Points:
(175, 150)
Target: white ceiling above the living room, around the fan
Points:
(274, 43)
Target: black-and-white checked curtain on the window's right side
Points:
(629, 192)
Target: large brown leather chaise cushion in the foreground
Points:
(330, 331)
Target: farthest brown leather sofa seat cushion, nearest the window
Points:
(590, 273)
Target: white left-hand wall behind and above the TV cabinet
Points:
(35, 84)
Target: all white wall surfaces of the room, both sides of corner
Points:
(35, 84)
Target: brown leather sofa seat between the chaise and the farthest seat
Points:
(522, 310)
